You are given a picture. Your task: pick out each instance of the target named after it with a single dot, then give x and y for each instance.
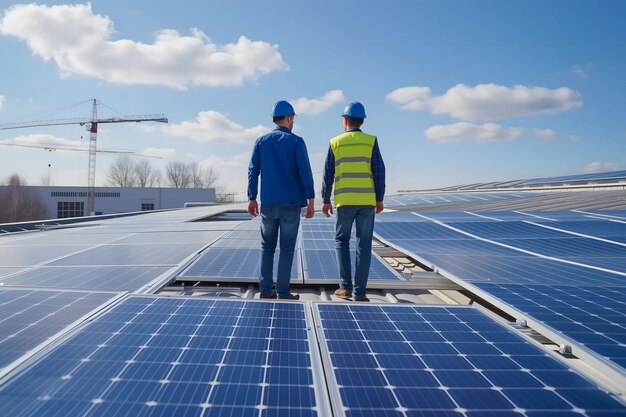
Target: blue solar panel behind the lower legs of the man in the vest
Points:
(322, 265)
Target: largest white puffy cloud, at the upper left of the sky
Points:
(79, 42)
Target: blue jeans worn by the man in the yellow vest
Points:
(363, 216)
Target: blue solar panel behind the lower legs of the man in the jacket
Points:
(244, 264)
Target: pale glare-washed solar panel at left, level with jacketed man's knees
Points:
(132, 255)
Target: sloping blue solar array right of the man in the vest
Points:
(564, 271)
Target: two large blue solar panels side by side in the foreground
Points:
(170, 356)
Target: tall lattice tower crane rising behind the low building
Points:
(92, 127)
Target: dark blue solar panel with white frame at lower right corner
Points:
(591, 320)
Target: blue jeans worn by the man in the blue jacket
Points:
(284, 220)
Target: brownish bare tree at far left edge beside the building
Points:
(18, 203)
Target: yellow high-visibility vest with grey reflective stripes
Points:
(354, 182)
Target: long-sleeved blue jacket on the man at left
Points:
(283, 162)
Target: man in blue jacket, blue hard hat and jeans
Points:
(286, 185)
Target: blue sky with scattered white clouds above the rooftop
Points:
(457, 91)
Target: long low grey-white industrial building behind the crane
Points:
(64, 202)
